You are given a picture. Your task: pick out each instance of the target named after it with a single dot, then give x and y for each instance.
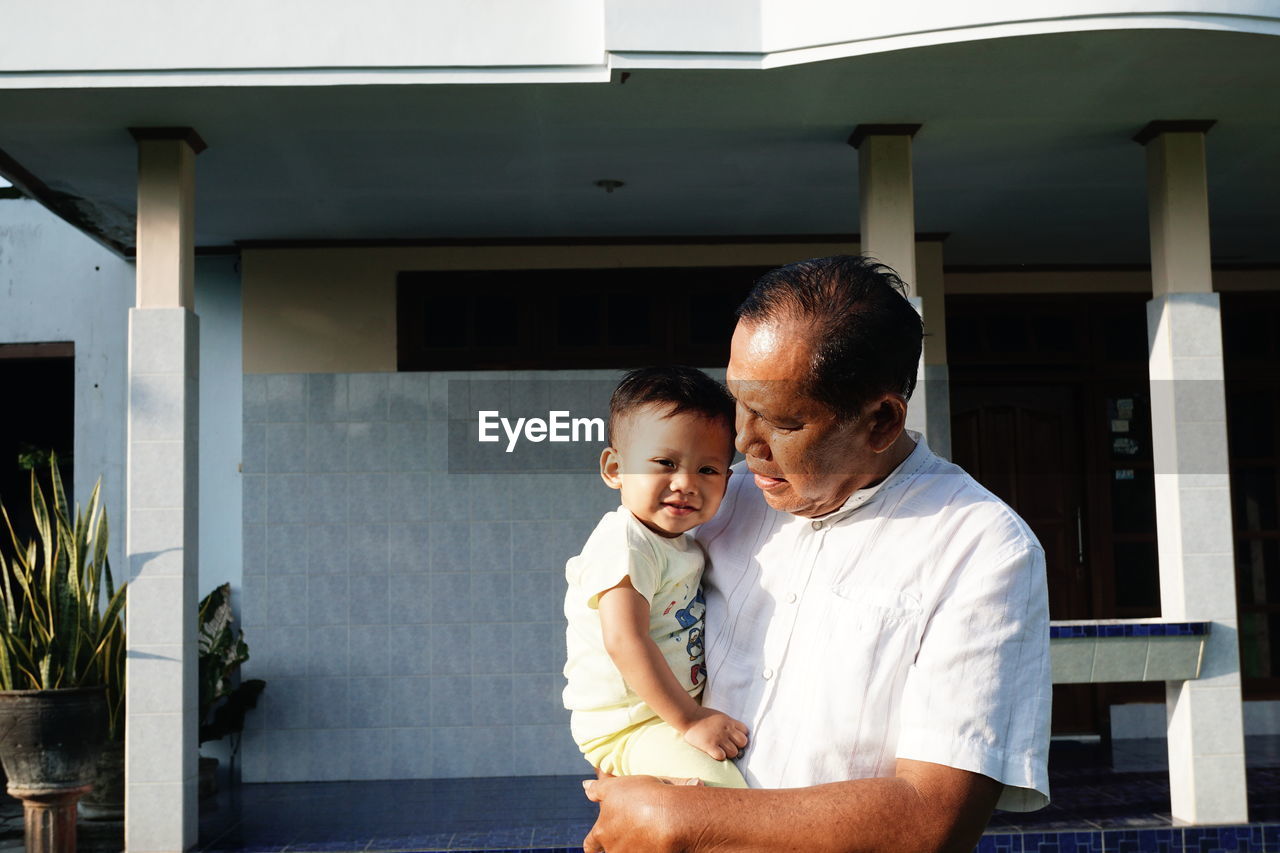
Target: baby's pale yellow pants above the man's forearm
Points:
(653, 749)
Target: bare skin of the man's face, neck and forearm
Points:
(808, 464)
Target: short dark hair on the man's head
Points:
(866, 335)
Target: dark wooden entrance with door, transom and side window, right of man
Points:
(1050, 410)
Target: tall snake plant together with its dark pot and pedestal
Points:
(56, 636)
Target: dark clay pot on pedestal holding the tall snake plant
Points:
(49, 745)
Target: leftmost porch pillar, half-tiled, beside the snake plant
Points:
(161, 729)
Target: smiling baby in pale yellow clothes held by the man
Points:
(636, 609)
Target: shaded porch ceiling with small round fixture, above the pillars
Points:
(1026, 153)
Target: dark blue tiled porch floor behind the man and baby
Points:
(1114, 801)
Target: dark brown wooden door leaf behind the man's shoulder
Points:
(1026, 443)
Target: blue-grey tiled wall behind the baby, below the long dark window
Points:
(408, 619)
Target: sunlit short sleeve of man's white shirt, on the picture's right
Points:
(979, 696)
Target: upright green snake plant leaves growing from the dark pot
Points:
(54, 628)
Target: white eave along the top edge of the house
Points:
(80, 44)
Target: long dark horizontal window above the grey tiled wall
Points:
(568, 318)
